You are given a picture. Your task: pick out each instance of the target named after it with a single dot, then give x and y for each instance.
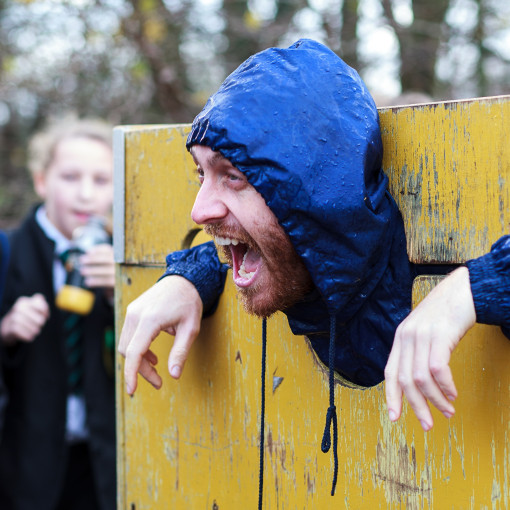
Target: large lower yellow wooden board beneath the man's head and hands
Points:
(193, 444)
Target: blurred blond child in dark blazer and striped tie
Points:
(58, 446)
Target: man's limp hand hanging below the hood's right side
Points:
(418, 364)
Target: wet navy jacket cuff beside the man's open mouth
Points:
(202, 267)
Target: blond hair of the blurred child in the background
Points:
(42, 146)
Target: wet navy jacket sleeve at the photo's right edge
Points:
(489, 276)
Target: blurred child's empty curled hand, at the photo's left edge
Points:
(25, 319)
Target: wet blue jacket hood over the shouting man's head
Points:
(303, 128)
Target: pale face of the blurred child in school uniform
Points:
(77, 184)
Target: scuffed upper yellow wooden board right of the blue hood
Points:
(449, 170)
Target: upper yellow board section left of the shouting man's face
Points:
(160, 186)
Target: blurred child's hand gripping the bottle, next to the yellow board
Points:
(98, 267)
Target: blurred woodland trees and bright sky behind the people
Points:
(157, 61)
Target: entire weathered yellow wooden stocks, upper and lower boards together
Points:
(194, 443)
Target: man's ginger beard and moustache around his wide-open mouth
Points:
(280, 279)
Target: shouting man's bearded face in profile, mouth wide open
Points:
(267, 271)
